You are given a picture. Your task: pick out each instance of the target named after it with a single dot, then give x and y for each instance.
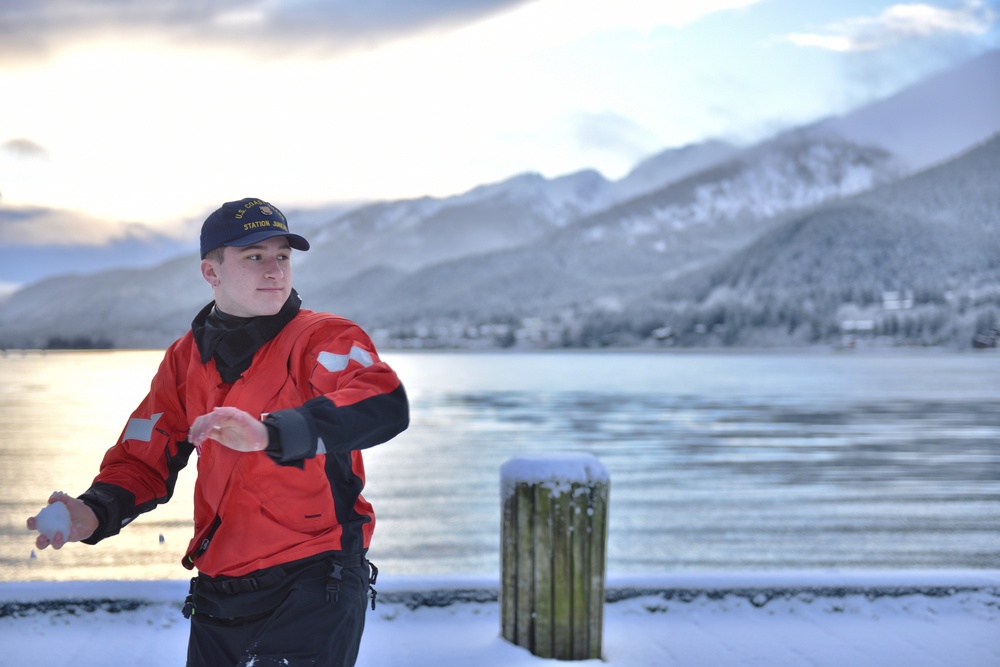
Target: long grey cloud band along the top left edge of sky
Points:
(35, 28)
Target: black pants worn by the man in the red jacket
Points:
(304, 618)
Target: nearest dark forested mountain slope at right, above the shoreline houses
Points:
(914, 261)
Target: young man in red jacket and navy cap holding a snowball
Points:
(277, 402)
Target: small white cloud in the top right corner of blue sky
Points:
(900, 23)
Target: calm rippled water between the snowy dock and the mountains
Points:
(718, 461)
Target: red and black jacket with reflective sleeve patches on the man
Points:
(322, 388)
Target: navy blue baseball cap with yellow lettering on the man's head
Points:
(245, 222)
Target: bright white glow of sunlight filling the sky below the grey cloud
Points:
(144, 130)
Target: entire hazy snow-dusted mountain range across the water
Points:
(580, 260)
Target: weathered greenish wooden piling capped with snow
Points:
(553, 551)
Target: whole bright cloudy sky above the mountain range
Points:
(151, 113)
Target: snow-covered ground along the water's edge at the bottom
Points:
(817, 619)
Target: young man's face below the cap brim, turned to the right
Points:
(253, 280)
